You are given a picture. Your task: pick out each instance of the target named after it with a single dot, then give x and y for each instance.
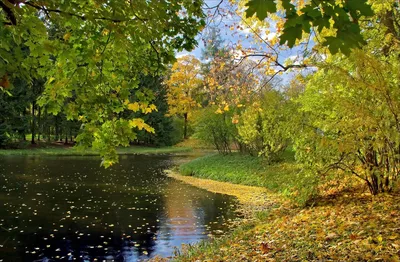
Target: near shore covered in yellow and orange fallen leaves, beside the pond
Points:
(349, 225)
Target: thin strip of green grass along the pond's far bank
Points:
(70, 151)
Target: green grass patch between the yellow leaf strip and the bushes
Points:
(283, 177)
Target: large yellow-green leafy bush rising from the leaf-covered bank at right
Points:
(353, 110)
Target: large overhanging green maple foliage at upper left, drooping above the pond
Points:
(92, 54)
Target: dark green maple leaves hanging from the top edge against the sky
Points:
(341, 16)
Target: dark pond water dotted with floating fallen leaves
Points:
(71, 209)
